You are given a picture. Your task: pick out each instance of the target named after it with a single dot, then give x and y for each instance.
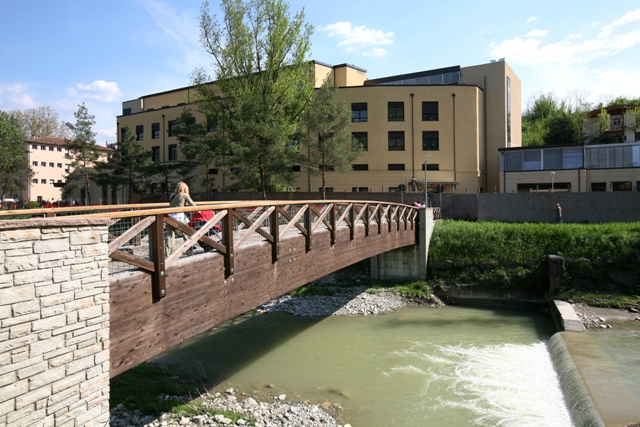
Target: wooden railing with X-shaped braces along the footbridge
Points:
(137, 233)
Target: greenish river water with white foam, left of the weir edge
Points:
(414, 367)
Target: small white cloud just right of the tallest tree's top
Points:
(359, 38)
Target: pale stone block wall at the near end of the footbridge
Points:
(54, 323)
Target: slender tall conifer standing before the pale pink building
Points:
(83, 150)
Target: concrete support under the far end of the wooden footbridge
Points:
(408, 262)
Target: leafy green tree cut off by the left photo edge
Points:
(15, 170)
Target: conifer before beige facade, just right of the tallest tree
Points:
(329, 142)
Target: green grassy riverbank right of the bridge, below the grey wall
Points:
(602, 260)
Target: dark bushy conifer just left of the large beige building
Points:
(124, 166)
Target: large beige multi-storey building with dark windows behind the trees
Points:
(457, 117)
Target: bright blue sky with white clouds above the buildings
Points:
(64, 52)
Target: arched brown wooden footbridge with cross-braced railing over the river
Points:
(245, 255)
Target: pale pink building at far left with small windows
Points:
(49, 160)
